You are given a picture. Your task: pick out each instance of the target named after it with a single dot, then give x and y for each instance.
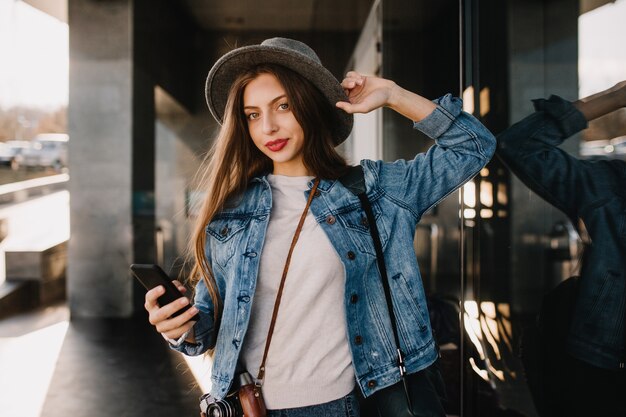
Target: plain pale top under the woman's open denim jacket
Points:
(309, 359)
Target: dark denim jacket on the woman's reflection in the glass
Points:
(594, 191)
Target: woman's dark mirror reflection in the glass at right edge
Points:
(577, 349)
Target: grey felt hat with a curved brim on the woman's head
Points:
(289, 53)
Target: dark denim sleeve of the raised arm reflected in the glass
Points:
(530, 149)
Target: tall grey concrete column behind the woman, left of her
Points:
(100, 128)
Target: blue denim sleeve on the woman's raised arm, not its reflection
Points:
(463, 146)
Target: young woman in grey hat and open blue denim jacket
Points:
(282, 114)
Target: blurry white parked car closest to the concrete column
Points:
(47, 151)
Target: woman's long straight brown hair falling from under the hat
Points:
(234, 159)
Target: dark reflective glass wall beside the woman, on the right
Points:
(517, 337)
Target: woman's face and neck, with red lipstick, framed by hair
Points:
(273, 126)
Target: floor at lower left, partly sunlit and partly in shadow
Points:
(52, 367)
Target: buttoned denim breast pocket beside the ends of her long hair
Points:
(227, 235)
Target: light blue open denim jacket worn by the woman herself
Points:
(400, 193)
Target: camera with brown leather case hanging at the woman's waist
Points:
(244, 401)
